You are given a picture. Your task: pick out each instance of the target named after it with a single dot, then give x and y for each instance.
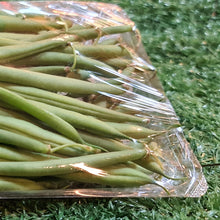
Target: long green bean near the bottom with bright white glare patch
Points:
(68, 165)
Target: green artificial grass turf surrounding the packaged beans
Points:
(182, 39)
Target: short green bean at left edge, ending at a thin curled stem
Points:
(11, 138)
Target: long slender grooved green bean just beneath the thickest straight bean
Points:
(73, 104)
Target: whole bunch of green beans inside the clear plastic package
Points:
(47, 129)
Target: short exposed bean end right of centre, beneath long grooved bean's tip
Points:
(134, 131)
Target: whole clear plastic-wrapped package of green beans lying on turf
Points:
(116, 61)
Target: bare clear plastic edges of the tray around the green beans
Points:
(180, 160)
